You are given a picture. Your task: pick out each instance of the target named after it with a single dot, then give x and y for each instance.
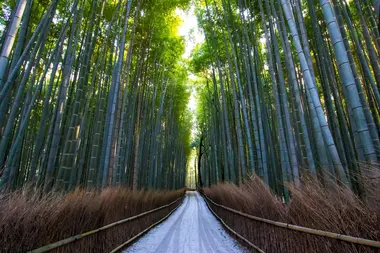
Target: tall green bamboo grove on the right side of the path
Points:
(289, 89)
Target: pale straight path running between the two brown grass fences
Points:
(191, 228)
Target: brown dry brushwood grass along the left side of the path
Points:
(29, 221)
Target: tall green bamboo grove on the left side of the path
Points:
(92, 93)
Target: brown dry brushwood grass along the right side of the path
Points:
(335, 209)
